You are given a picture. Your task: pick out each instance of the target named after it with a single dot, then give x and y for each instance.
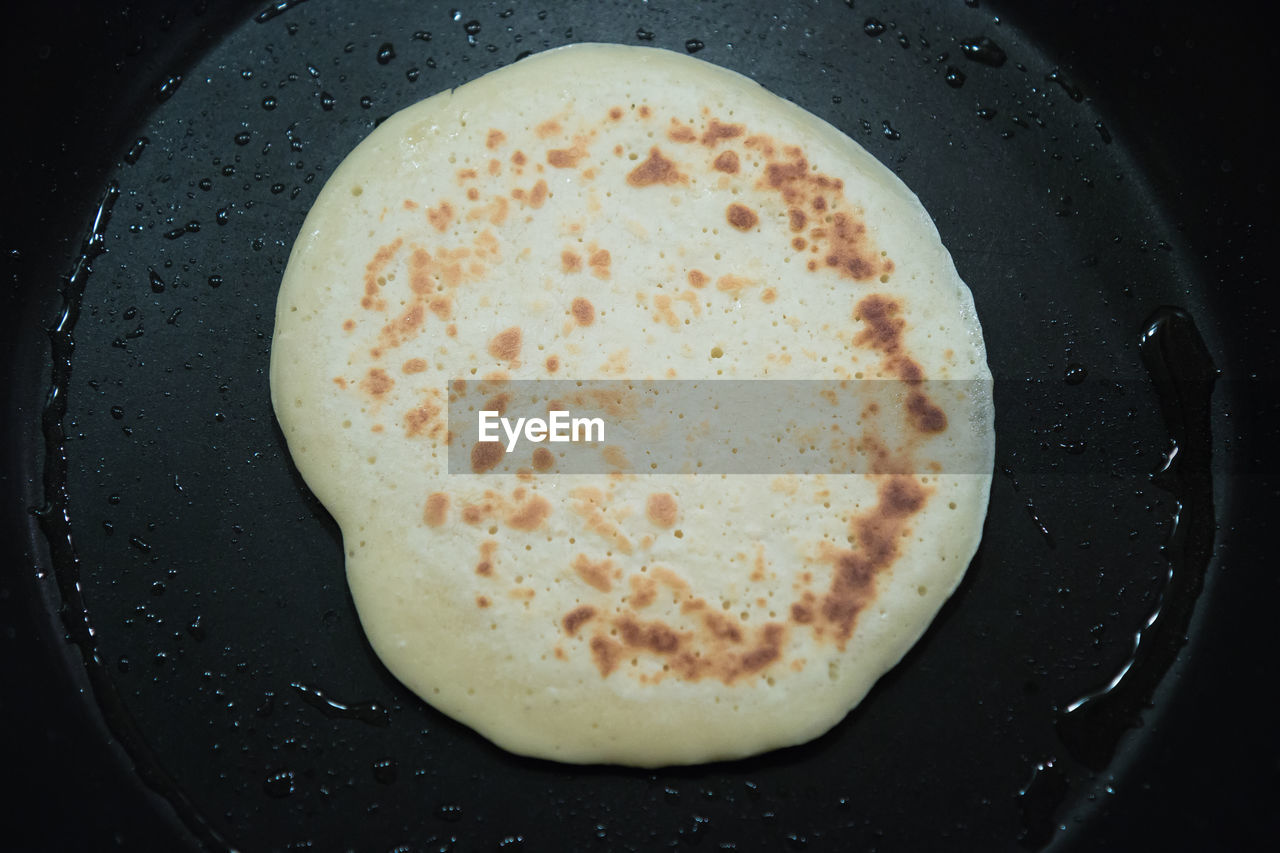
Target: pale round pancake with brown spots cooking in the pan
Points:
(609, 213)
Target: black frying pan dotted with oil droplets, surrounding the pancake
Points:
(184, 667)
